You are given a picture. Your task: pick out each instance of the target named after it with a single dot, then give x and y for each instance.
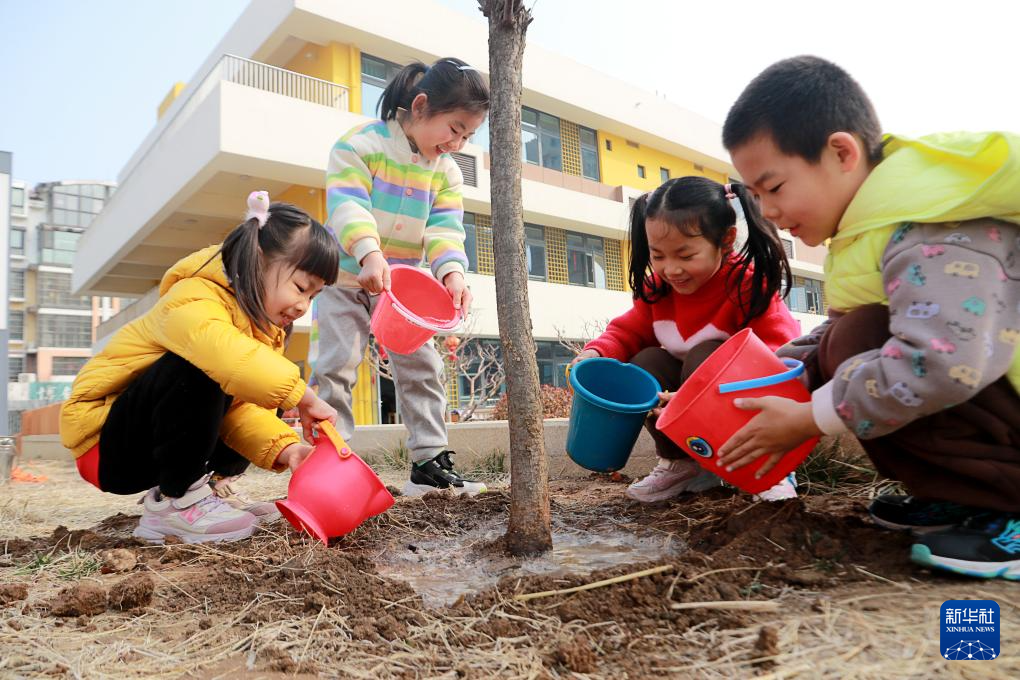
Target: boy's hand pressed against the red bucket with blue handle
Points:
(782, 426)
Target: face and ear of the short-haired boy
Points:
(806, 199)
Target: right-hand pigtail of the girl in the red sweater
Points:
(763, 253)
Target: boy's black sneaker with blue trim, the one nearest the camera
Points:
(986, 547)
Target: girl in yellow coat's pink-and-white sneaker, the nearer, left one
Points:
(196, 517)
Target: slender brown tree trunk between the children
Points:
(530, 531)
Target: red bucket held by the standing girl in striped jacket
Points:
(416, 308)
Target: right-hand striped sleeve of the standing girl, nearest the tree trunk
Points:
(445, 228)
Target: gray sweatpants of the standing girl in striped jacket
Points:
(344, 317)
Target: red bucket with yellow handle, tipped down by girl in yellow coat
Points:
(334, 491)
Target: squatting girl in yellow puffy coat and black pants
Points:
(192, 389)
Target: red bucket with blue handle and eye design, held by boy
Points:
(701, 416)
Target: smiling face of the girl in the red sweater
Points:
(685, 263)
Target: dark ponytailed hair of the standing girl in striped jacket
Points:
(448, 85)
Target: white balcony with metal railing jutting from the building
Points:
(244, 126)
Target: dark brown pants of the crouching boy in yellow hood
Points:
(970, 454)
